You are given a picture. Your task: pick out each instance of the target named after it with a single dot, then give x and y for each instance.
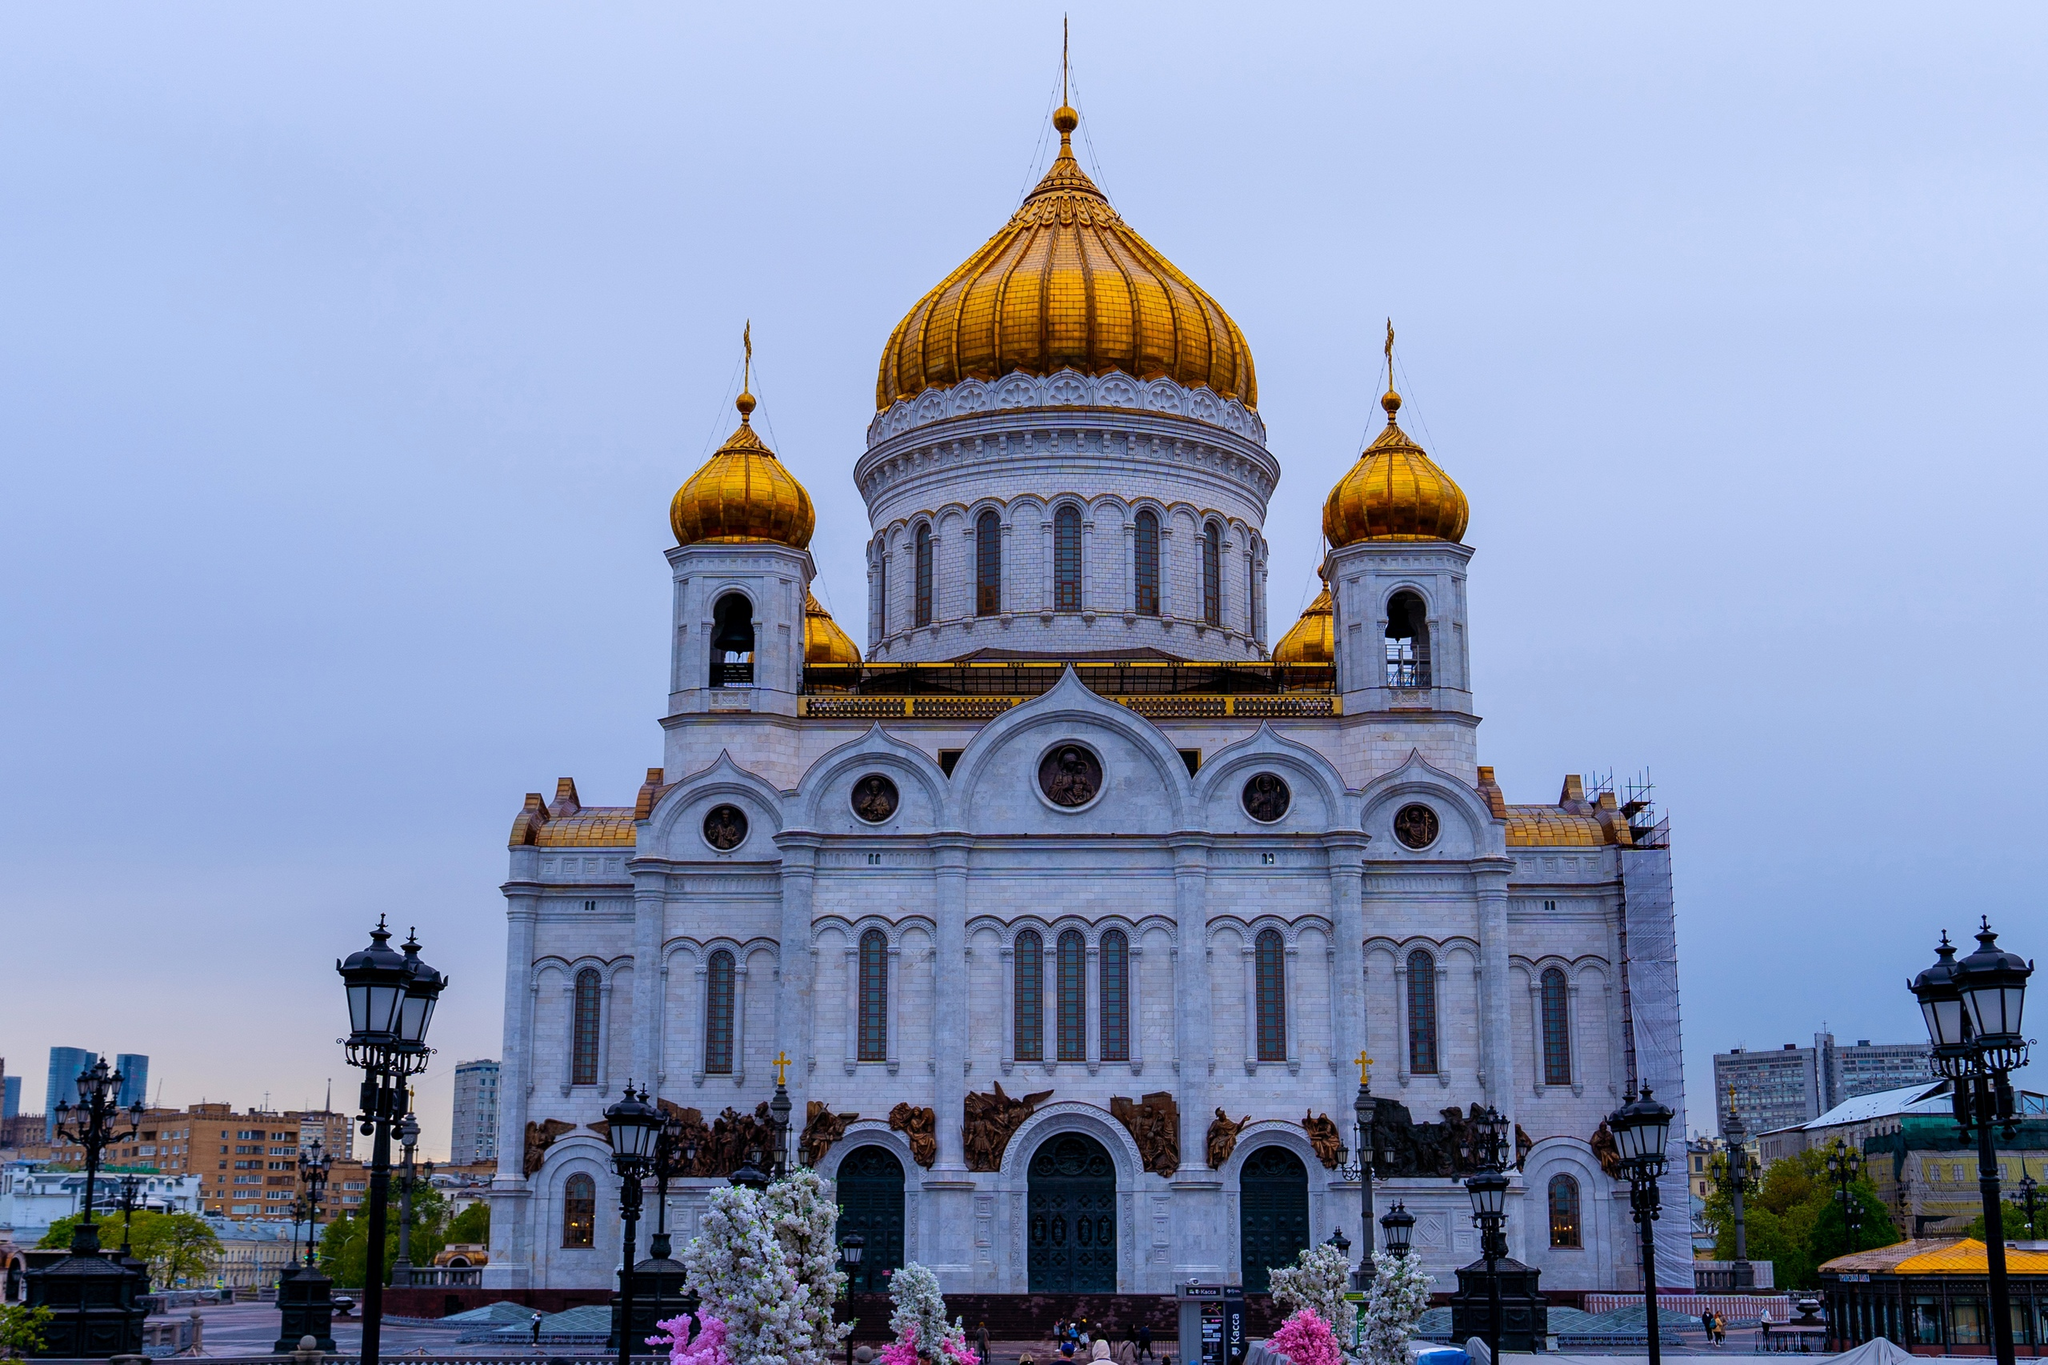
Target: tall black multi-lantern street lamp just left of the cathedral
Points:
(390, 1008)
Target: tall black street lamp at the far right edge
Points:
(1973, 1014)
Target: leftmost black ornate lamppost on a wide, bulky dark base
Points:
(91, 1298)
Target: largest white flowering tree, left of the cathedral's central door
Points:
(765, 1268)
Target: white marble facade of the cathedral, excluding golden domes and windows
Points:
(976, 854)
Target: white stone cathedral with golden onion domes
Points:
(1068, 908)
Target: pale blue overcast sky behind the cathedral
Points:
(349, 359)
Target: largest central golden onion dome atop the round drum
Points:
(1066, 285)
